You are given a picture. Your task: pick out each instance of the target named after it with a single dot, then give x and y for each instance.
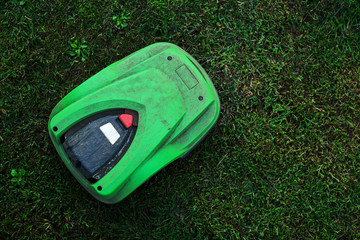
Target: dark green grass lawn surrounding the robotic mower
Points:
(282, 163)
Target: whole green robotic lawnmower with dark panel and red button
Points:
(127, 122)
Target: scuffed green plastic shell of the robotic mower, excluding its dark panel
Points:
(176, 102)
